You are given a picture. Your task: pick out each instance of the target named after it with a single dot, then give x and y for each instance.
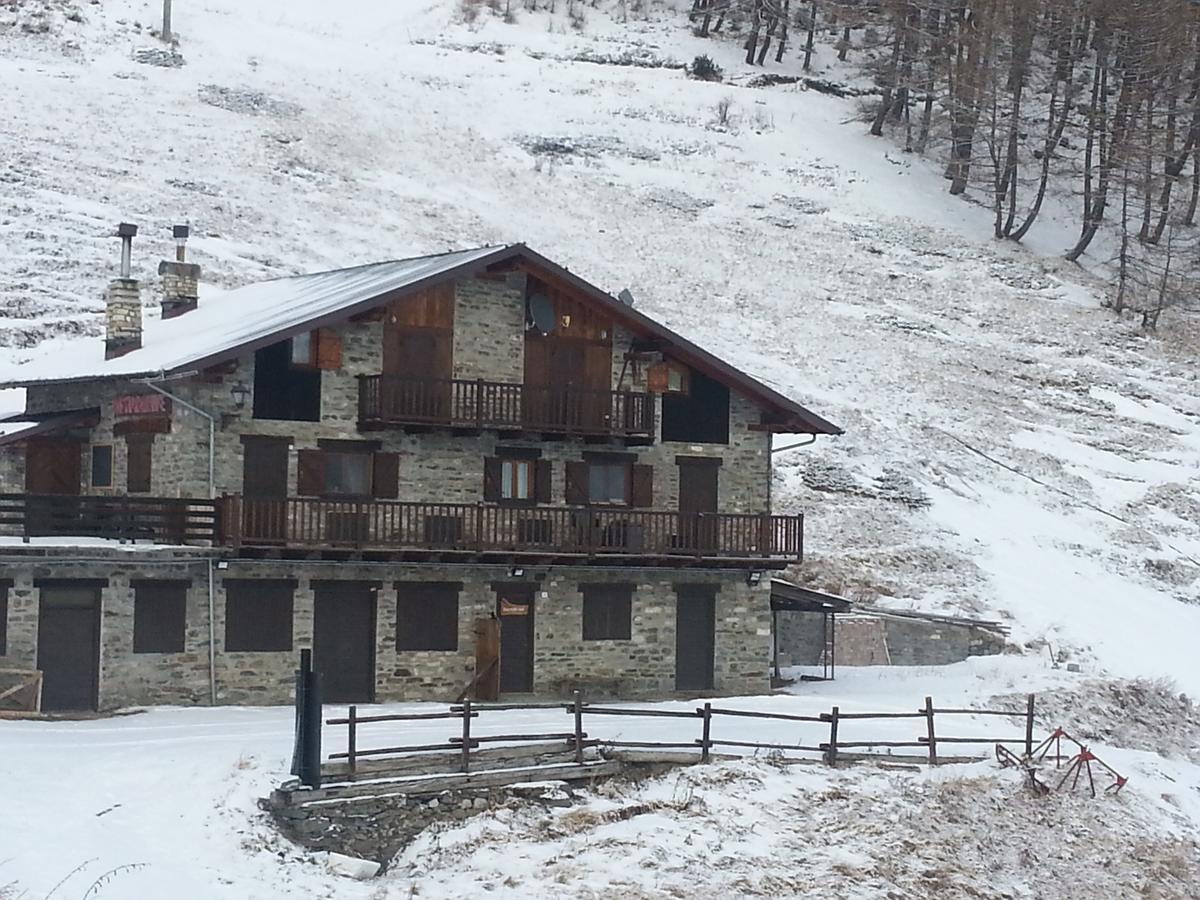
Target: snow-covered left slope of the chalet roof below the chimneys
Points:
(229, 322)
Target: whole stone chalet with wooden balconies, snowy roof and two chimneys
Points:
(466, 473)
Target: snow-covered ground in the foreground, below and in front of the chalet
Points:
(172, 793)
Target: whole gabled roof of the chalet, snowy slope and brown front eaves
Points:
(259, 315)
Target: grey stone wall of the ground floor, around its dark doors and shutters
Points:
(563, 661)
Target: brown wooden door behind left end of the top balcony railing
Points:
(417, 368)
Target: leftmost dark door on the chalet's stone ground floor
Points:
(69, 646)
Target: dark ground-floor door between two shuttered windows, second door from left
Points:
(344, 640)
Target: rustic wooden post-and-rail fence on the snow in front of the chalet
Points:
(707, 716)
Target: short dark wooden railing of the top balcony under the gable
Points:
(561, 410)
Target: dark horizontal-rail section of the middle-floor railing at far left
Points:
(147, 519)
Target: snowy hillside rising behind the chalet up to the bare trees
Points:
(787, 239)
